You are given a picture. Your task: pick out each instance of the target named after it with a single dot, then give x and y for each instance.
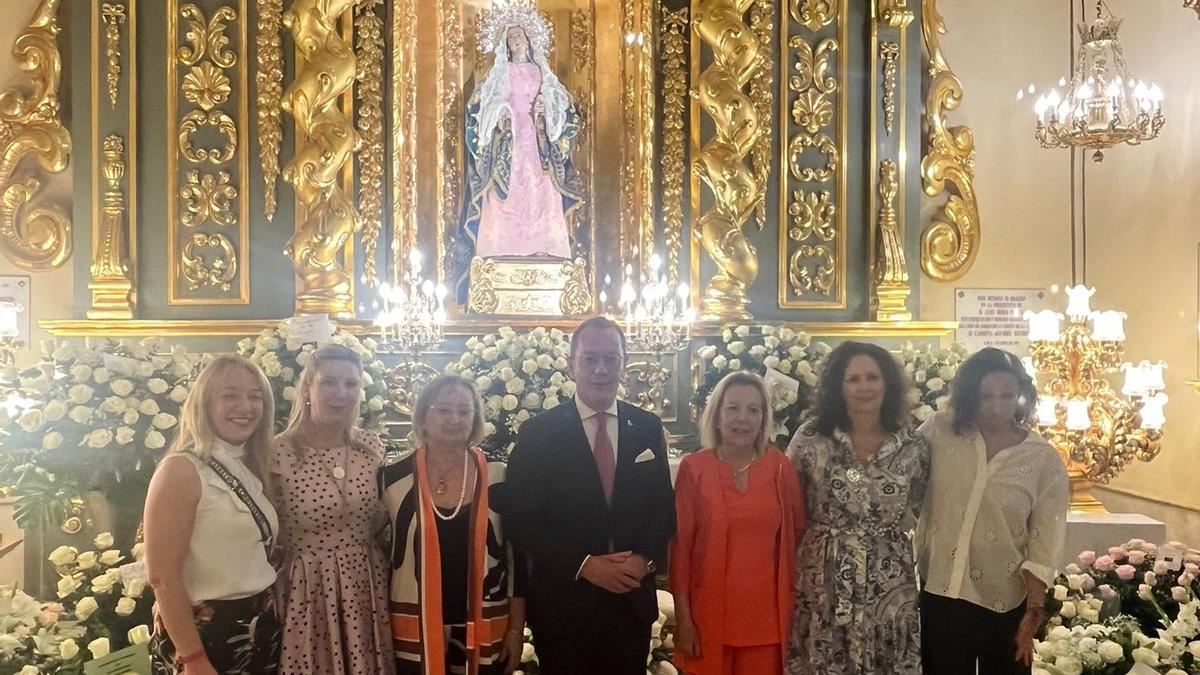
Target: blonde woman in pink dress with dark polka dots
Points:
(334, 577)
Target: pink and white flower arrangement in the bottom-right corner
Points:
(1124, 612)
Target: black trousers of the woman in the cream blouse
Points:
(956, 635)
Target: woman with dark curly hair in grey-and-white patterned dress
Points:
(865, 474)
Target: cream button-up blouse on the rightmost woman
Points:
(987, 521)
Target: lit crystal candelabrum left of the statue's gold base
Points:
(413, 313)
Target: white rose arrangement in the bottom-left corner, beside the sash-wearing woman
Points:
(101, 607)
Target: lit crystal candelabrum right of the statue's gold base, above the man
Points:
(657, 320)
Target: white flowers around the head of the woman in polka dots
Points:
(283, 356)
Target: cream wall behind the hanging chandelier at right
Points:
(1143, 202)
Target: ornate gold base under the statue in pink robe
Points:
(530, 288)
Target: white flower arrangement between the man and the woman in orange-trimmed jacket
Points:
(519, 375)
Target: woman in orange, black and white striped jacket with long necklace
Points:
(453, 610)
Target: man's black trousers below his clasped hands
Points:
(615, 644)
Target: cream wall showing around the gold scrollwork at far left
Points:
(51, 292)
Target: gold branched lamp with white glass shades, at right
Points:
(1096, 429)
